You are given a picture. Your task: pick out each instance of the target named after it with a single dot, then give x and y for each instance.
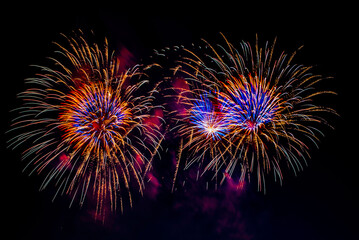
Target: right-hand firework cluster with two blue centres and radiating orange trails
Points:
(247, 109)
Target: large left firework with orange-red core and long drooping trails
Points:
(87, 124)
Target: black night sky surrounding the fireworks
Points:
(320, 203)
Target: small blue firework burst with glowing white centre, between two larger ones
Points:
(203, 126)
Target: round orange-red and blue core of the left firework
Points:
(94, 114)
